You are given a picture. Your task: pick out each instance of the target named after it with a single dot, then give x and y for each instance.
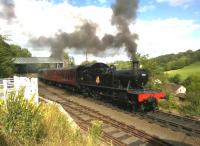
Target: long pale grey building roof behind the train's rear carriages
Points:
(35, 60)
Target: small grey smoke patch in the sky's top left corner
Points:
(7, 11)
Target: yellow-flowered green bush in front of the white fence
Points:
(20, 120)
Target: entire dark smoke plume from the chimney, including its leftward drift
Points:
(124, 11)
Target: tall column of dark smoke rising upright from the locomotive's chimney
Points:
(124, 11)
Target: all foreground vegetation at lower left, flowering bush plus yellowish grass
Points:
(24, 123)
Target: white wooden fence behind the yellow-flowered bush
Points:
(8, 85)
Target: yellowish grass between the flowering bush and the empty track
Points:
(61, 132)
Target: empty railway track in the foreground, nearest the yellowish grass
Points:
(119, 133)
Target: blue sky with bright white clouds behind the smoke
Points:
(163, 26)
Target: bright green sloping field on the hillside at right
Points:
(193, 69)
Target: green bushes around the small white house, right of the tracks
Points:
(191, 104)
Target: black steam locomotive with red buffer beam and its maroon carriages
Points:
(124, 87)
